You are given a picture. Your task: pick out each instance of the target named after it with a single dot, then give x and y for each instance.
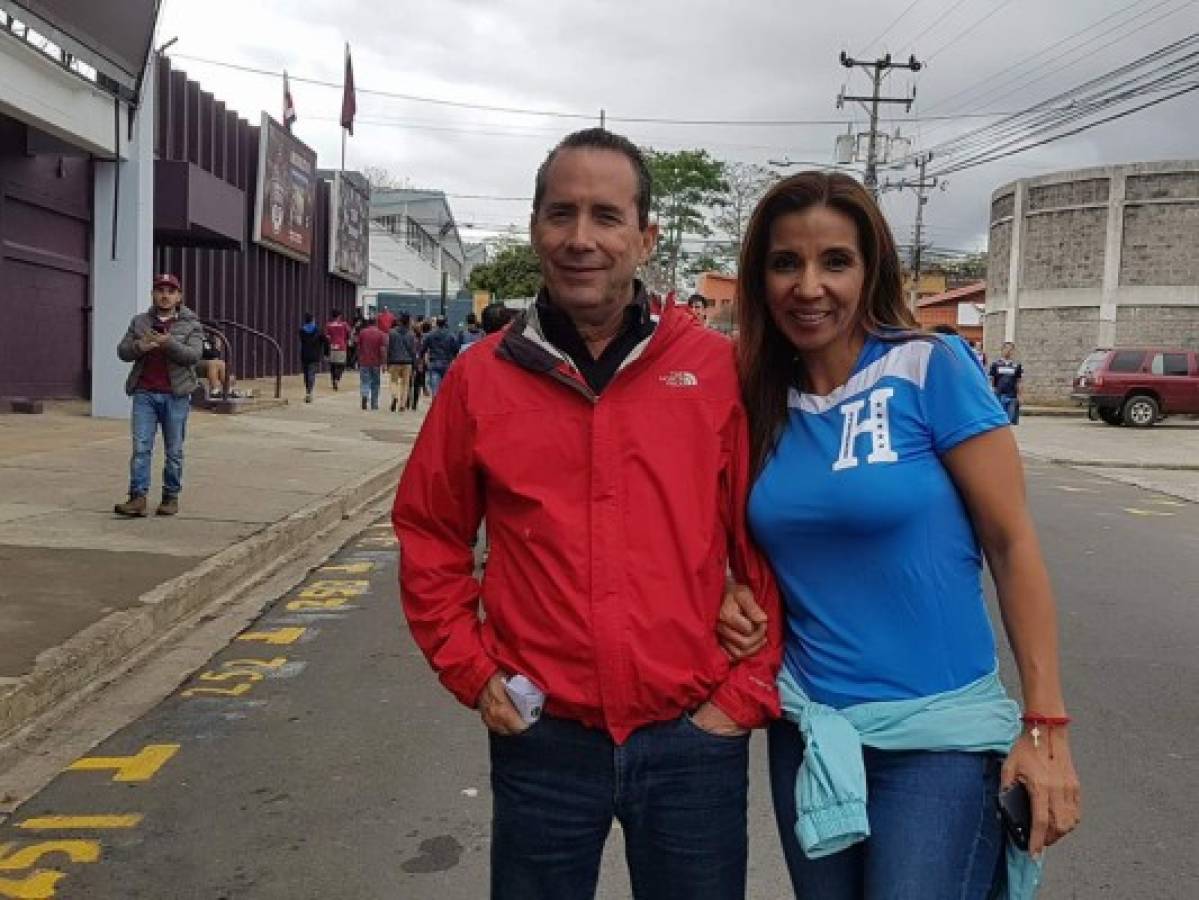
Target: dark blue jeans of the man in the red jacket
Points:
(679, 794)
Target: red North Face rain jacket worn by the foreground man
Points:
(612, 522)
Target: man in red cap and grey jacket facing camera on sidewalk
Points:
(164, 345)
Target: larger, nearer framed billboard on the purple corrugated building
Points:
(286, 200)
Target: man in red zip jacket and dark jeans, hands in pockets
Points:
(607, 567)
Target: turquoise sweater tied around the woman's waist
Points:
(830, 788)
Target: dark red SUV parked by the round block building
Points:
(1138, 386)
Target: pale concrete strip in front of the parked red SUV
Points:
(1164, 458)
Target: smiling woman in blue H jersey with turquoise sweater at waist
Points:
(885, 470)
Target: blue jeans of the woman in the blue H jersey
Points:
(936, 832)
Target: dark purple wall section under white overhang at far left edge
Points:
(45, 263)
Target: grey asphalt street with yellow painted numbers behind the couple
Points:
(317, 757)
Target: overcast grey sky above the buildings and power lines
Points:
(706, 59)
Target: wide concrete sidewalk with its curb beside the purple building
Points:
(82, 589)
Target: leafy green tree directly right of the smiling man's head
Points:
(688, 185)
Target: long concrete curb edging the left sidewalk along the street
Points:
(88, 656)
